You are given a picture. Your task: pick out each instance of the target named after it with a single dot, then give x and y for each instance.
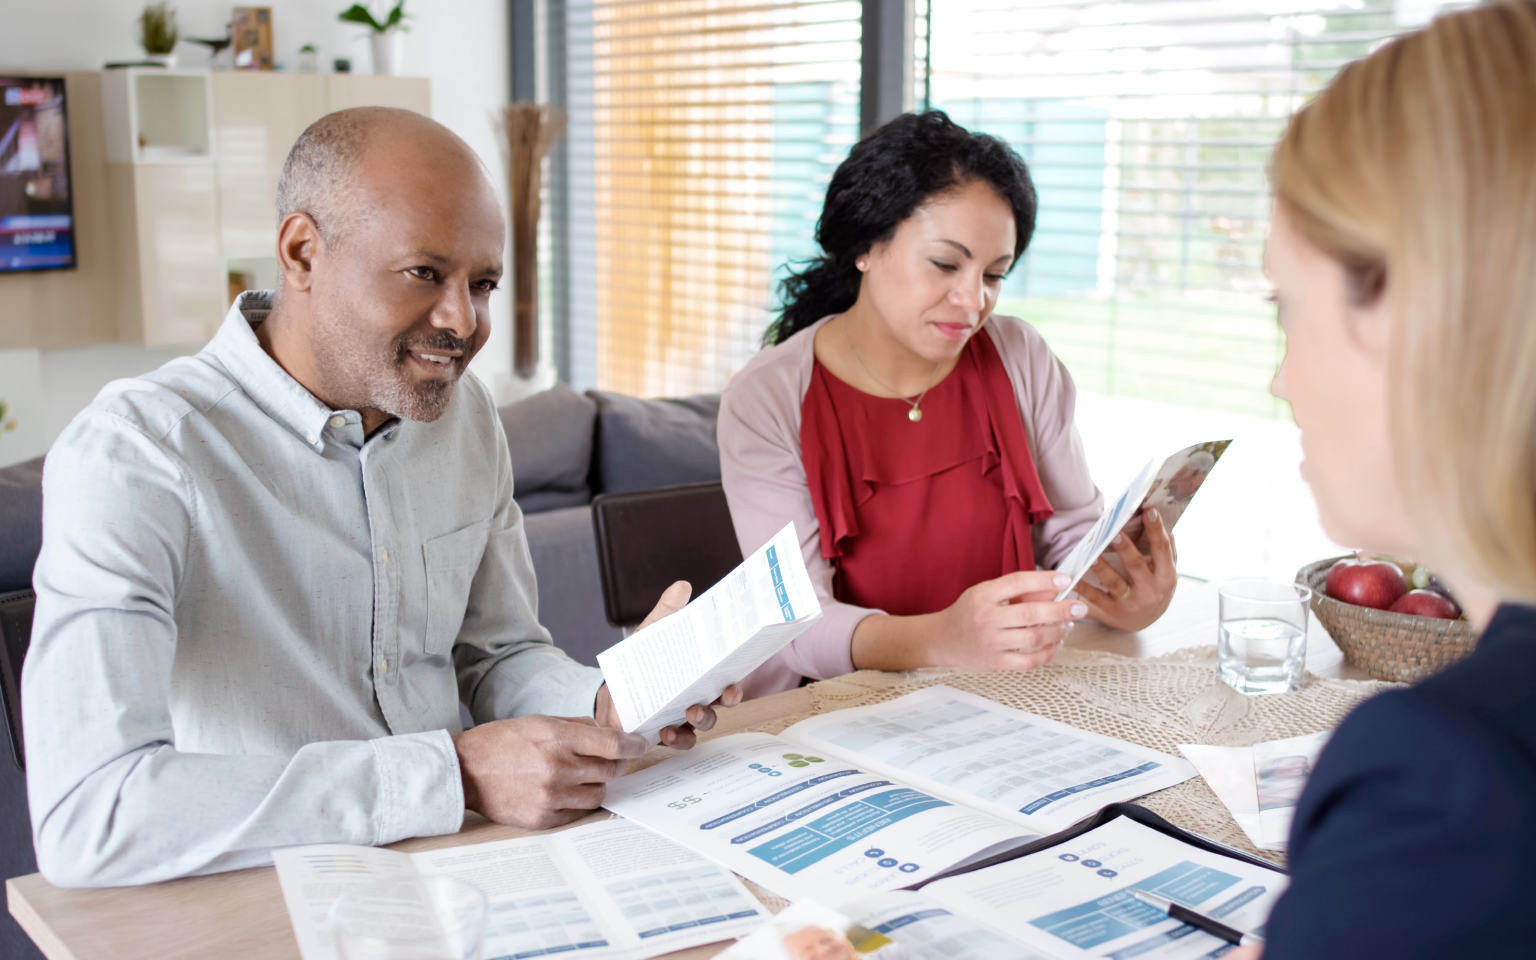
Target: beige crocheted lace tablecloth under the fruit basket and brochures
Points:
(1156, 703)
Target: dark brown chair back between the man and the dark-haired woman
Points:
(652, 538)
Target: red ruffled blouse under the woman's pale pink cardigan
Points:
(915, 514)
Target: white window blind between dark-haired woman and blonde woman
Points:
(1148, 127)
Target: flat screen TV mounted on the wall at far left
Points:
(38, 223)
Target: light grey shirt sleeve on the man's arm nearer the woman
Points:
(506, 661)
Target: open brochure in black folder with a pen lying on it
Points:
(1065, 902)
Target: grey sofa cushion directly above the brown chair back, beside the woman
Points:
(655, 443)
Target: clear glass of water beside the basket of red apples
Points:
(1263, 635)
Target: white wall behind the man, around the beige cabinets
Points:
(462, 45)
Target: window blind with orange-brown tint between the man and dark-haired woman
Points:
(703, 136)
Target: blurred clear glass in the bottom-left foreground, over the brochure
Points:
(411, 919)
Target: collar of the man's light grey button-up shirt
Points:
(268, 385)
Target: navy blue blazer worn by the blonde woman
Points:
(1417, 833)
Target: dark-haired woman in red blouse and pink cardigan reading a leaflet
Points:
(932, 474)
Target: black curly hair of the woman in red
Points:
(886, 179)
